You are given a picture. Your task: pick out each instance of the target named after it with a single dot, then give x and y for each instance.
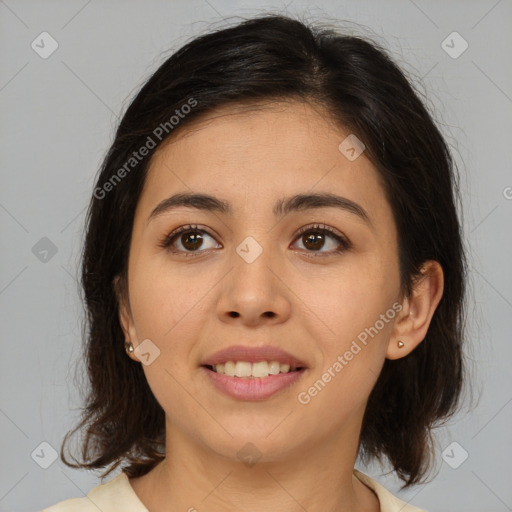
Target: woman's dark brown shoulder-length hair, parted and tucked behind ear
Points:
(269, 58)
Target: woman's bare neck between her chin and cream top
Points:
(315, 478)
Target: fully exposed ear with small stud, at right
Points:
(413, 321)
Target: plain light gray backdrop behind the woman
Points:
(57, 120)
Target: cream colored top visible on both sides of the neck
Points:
(118, 496)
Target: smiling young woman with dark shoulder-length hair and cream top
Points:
(274, 278)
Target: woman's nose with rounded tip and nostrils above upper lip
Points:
(255, 293)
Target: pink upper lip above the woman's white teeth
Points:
(253, 355)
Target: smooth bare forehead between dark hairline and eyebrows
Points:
(250, 151)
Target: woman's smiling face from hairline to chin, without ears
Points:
(320, 282)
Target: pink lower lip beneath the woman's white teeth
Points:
(253, 388)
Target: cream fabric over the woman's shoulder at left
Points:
(114, 496)
